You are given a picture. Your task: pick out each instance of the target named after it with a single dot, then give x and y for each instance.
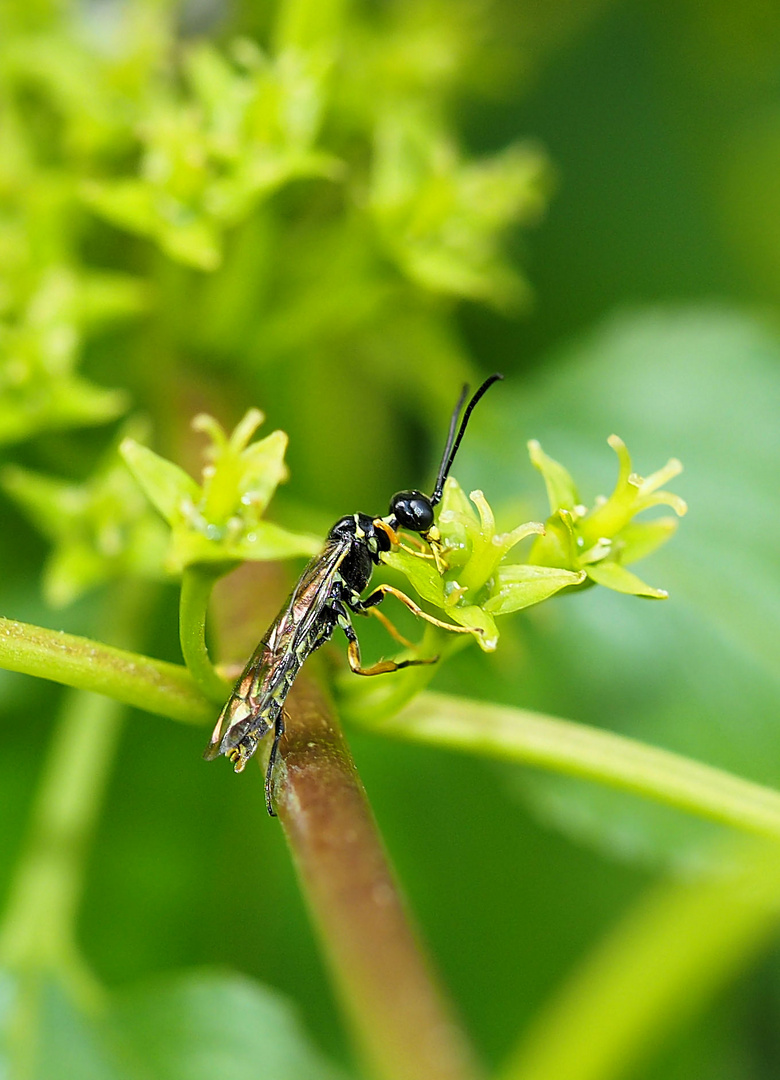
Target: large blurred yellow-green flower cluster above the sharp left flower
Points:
(245, 129)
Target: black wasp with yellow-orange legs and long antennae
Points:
(326, 597)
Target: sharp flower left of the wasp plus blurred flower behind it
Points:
(105, 529)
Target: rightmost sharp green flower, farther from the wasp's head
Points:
(603, 541)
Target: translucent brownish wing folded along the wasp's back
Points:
(278, 653)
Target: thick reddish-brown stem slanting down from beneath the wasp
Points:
(401, 1022)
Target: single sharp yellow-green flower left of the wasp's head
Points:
(221, 521)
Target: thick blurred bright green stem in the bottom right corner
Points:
(652, 973)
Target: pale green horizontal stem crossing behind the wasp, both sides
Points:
(514, 735)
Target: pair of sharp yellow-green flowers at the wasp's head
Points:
(574, 548)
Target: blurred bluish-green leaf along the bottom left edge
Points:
(196, 1027)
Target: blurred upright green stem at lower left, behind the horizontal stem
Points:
(38, 931)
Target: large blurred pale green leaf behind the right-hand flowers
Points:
(698, 674)
